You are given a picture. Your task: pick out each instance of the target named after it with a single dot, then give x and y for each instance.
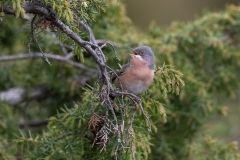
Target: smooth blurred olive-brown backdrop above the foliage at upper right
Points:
(163, 12)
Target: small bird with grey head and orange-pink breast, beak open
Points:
(137, 75)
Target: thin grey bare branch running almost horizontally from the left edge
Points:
(50, 56)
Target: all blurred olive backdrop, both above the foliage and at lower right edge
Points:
(163, 13)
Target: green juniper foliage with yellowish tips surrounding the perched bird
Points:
(195, 62)
